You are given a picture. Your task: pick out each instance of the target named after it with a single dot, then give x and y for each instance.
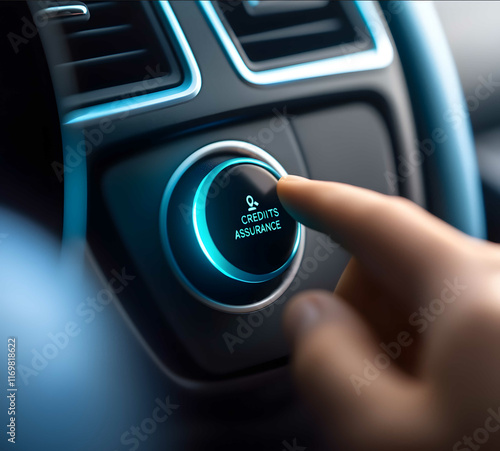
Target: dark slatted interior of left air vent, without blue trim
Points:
(120, 45)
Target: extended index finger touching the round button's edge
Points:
(410, 251)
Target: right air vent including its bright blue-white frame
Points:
(275, 41)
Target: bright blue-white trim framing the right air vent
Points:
(376, 58)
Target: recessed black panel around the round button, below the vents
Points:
(222, 343)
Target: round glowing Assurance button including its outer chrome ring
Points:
(228, 240)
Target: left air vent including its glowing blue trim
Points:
(113, 59)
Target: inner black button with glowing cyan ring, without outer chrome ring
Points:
(240, 224)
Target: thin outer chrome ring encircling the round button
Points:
(248, 150)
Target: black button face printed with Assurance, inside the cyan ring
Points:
(247, 222)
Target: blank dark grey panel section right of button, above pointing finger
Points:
(336, 149)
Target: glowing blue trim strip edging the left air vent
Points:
(123, 108)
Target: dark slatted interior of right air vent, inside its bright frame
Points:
(277, 33)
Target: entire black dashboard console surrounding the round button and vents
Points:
(349, 127)
